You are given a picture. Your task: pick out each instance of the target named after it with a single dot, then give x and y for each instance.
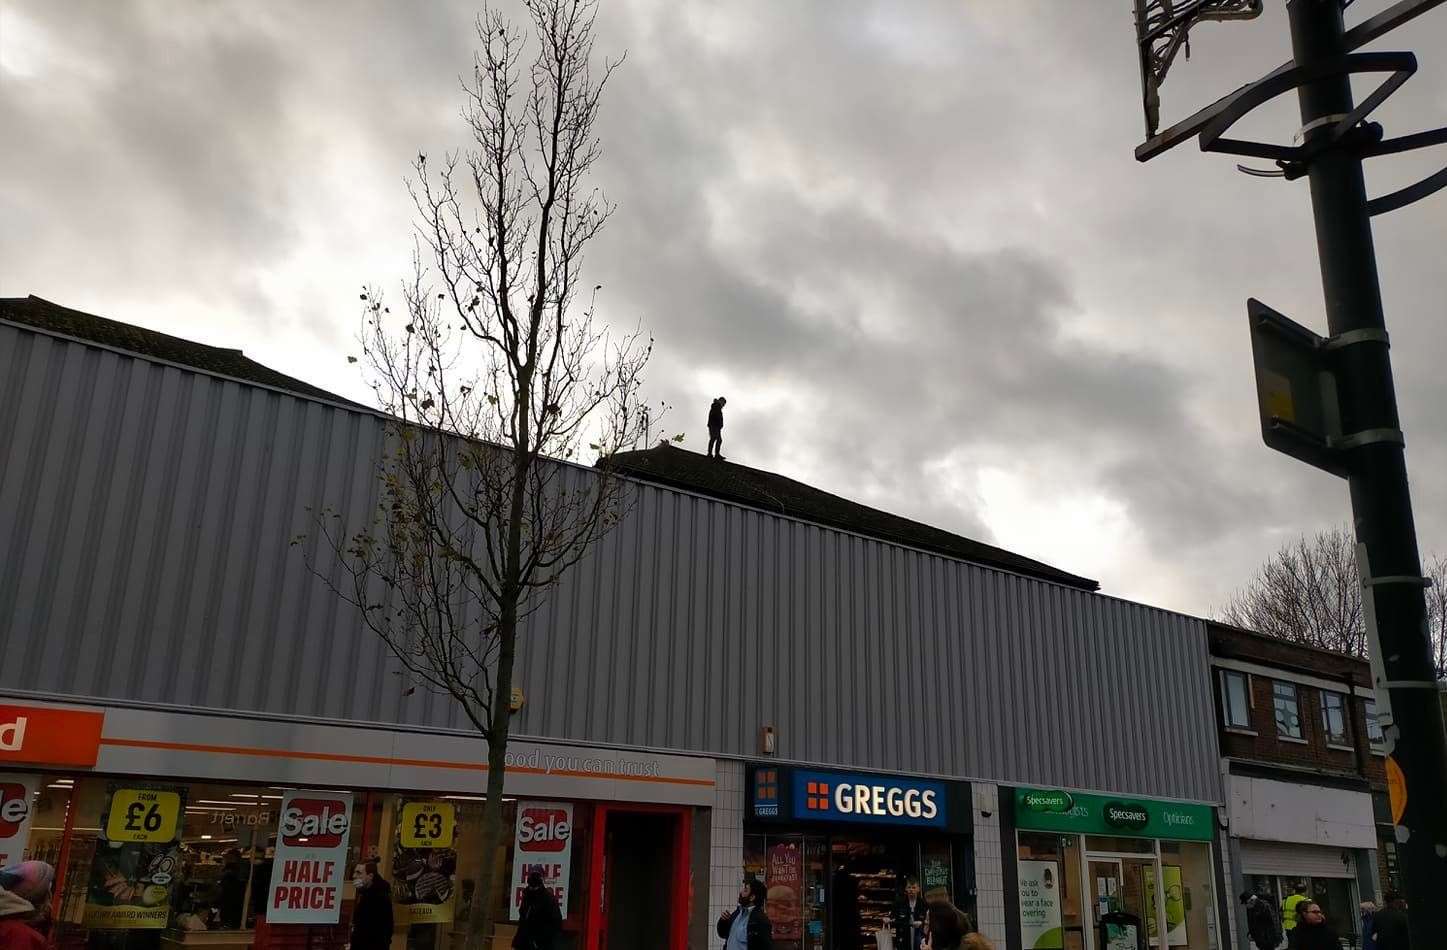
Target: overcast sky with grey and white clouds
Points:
(908, 239)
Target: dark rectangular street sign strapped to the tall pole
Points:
(1296, 390)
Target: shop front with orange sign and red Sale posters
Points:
(163, 838)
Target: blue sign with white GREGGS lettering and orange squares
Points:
(869, 799)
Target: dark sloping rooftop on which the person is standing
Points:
(771, 492)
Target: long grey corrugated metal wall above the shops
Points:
(145, 517)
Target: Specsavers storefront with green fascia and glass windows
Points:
(1099, 873)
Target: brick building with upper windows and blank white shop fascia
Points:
(1304, 773)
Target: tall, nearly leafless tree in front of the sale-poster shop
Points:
(494, 372)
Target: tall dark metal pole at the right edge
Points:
(1381, 505)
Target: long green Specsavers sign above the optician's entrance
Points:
(1073, 813)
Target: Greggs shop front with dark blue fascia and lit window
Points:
(837, 850)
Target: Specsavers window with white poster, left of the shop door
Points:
(1050, 876)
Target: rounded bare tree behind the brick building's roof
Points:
(1310, 594)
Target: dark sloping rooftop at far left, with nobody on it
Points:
(41, 314)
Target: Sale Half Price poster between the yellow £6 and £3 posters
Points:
(312, 858)
